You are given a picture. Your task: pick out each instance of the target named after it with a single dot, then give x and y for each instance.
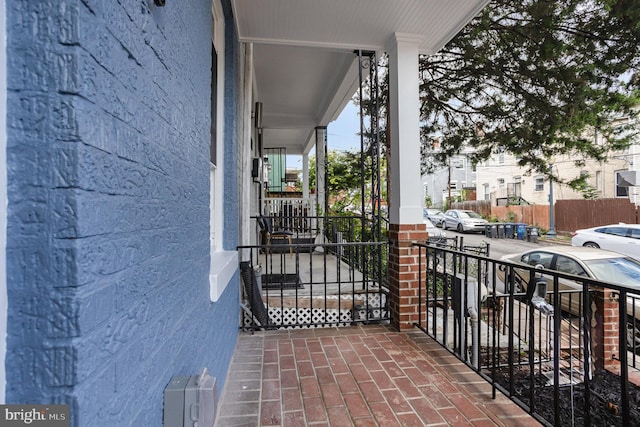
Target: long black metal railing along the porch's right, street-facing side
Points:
(535, 335)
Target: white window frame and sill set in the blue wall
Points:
(224, 264)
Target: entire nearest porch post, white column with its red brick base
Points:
(405, 210)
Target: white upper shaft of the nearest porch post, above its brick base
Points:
(404, 108)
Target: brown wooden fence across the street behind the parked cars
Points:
(569, 215)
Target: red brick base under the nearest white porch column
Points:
(403, 273)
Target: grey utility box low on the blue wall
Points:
(190, 401)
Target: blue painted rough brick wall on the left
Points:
(108, 216)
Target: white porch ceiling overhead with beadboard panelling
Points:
(305, 66)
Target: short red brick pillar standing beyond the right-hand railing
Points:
(605, 325)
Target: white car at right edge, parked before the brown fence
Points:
(623, 238)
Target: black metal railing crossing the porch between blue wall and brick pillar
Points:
(305, 285)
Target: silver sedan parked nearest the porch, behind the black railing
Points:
(594, 263)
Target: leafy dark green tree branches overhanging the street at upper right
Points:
(533, 78)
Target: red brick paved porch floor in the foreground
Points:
(356, 376)
